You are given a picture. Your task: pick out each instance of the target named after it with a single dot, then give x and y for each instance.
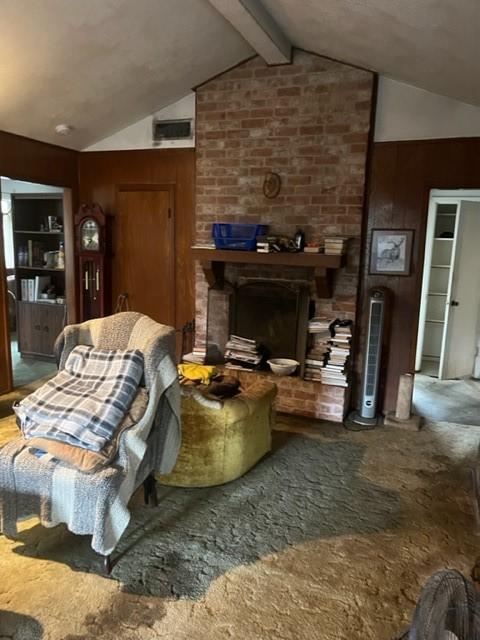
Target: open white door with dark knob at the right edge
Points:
(463, 299)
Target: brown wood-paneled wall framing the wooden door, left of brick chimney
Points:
(100, 174)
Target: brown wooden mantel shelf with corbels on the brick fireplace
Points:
(214, 260)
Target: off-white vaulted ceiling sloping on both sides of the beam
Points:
(100, 65)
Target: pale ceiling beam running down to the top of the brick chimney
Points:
(256, 25)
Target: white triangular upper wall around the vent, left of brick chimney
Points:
(139, 134)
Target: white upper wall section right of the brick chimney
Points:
(408, 113)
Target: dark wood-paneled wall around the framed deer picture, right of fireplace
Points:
(401, 177)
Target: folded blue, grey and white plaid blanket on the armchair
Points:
(85, 402)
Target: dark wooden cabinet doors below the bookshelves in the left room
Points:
(38, 327)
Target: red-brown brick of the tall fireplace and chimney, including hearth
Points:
(309, 122)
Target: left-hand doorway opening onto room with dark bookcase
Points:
(33, 244)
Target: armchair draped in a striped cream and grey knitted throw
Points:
(97, 504)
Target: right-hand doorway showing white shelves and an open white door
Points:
(447, 363)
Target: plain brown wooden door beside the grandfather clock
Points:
(143, 251)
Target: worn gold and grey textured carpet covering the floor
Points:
(329, 537)
